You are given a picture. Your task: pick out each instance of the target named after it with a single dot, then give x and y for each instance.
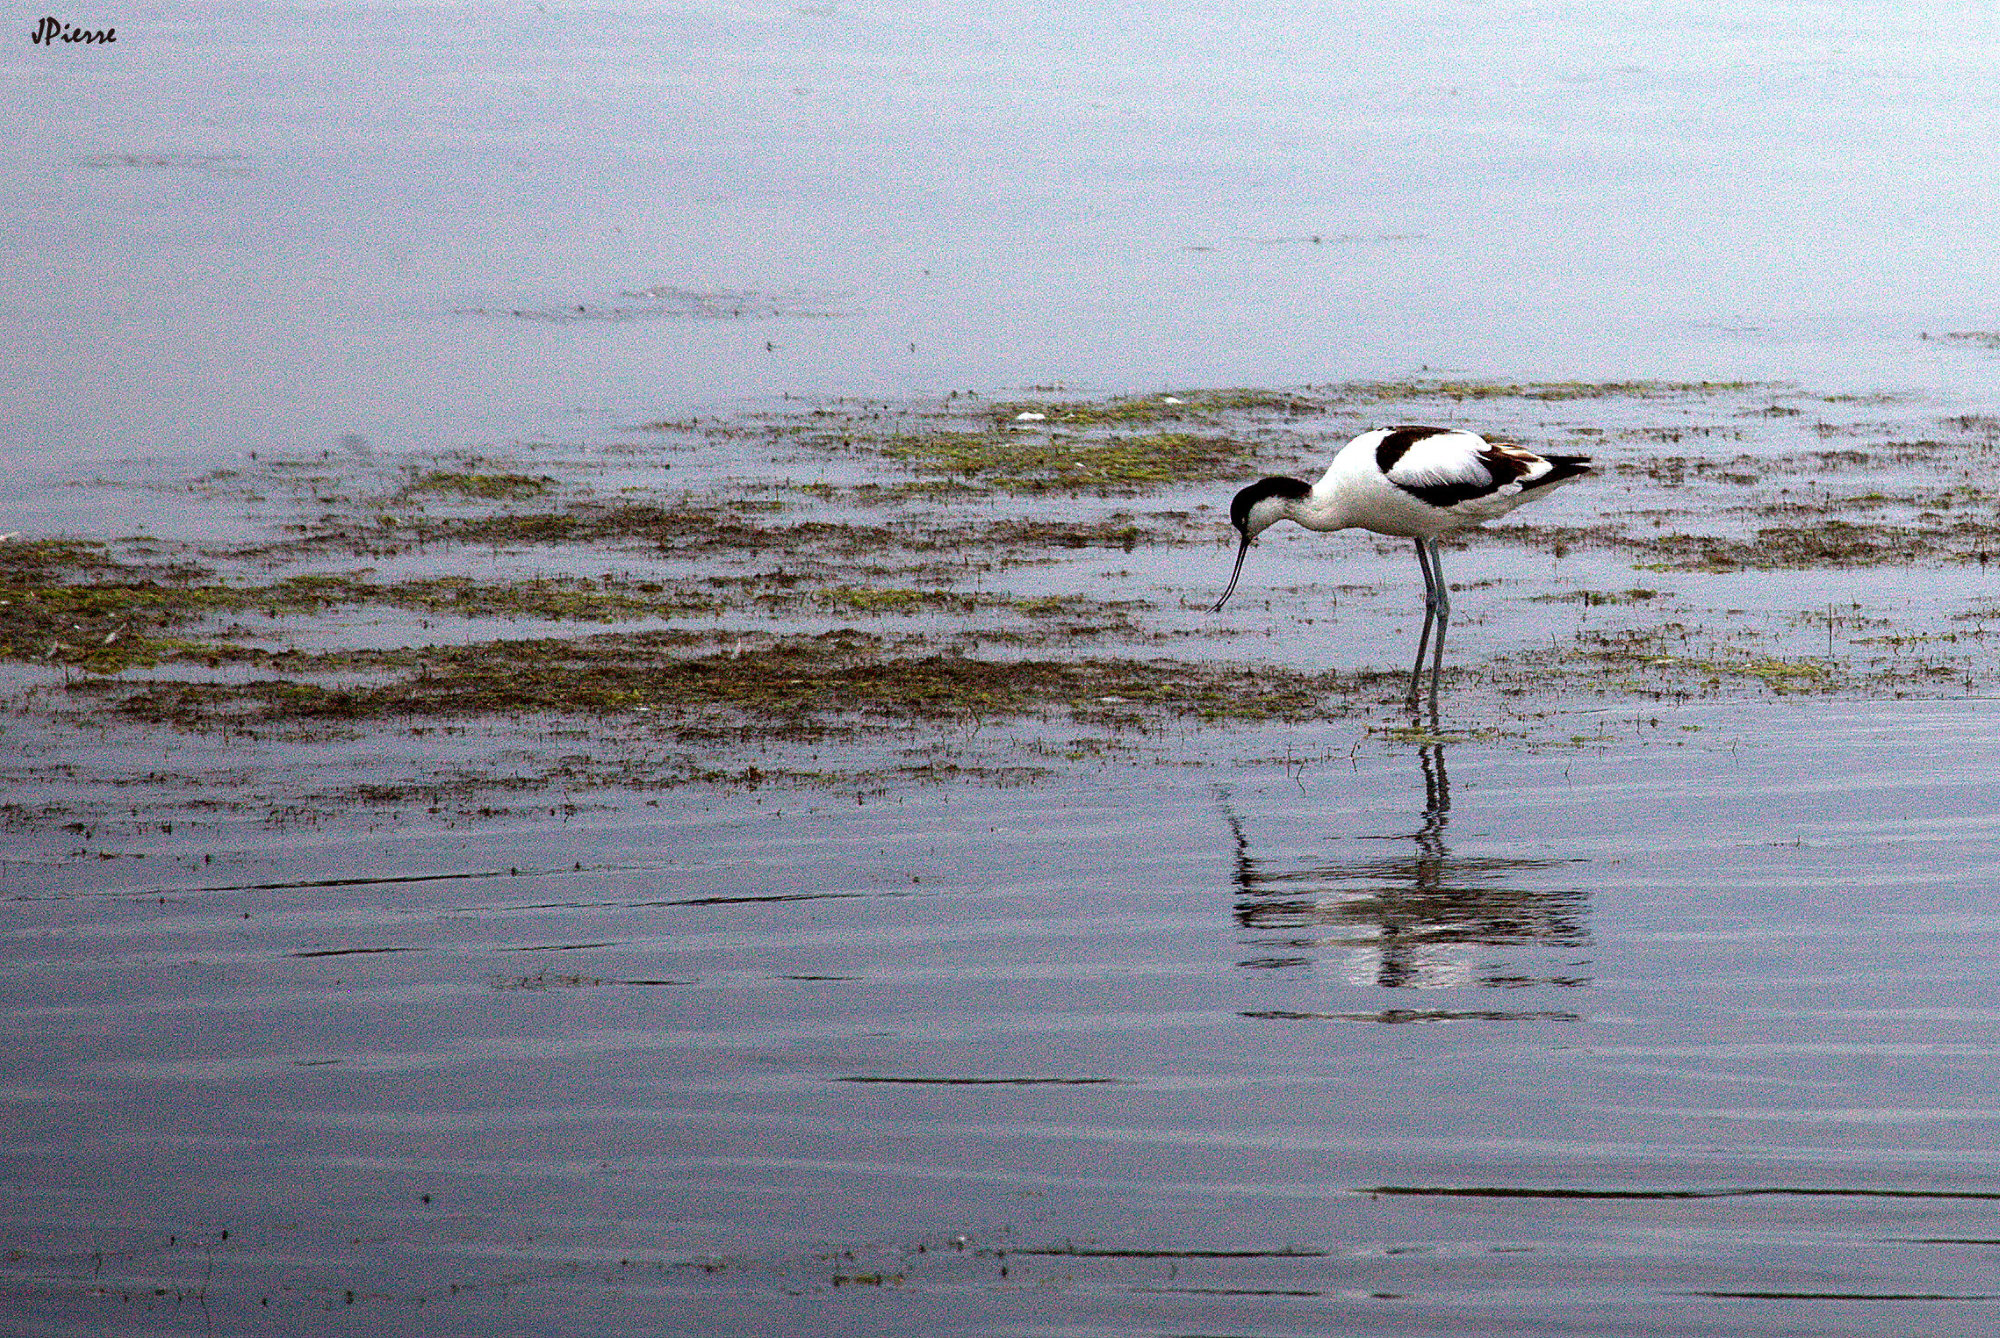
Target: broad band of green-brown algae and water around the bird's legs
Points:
(983, 587)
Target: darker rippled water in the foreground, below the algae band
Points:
(1687, 1033)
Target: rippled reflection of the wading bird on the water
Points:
(1417, 917)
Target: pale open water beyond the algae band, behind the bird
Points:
(271, 227)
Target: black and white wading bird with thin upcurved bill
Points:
(1409, 483)
